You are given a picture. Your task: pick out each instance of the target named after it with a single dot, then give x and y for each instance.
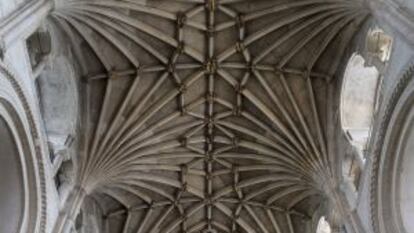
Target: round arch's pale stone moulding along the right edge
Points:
(392, 135)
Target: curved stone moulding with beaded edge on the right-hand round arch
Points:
(384, 210)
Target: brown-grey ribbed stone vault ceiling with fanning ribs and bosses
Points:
(207, 116)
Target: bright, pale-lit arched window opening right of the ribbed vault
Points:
(358, 98)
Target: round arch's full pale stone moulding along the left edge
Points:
(19, 117)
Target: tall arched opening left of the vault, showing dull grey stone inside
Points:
(57, 89)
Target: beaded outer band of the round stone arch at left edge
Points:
(12, 87)
